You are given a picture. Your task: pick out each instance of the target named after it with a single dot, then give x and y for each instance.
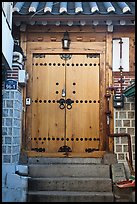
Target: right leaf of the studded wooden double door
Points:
(82, 84)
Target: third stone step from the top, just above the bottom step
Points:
(70, 184)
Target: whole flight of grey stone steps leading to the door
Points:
(69, 180)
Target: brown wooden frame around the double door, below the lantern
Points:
(76, 48)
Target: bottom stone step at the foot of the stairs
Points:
(69, 196)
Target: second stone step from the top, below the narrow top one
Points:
(72, 170)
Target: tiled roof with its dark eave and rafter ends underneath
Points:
(74, 13)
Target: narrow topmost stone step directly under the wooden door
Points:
(52, 160)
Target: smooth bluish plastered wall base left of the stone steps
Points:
(14, 186)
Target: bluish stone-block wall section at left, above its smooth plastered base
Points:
(11, 126)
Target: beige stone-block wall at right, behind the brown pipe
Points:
(124, 122)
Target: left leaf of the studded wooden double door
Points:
(48, 120)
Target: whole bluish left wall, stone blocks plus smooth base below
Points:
(14, 186)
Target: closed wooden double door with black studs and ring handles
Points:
(65, 103)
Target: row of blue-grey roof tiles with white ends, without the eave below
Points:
(73, 8)
